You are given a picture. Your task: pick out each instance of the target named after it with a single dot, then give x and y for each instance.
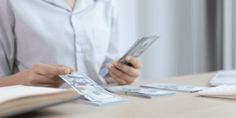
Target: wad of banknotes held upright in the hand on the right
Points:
(136, 50)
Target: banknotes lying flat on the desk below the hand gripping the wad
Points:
(138, 91)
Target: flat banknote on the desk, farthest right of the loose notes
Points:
(174, 87)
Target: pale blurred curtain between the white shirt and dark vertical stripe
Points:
(181, 24)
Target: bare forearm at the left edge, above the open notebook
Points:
(16, 79)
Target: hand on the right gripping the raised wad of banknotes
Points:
(124, 74)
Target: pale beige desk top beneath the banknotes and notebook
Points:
(182, 105)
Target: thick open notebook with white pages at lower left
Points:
(21, 99)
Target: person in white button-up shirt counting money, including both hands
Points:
(41, 39)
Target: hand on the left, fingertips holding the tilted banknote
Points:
(45, 75)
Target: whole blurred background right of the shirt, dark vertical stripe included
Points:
(196, 35)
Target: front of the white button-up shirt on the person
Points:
(47, 31)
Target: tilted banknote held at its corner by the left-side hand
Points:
(90, 90)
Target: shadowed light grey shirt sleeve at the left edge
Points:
(7, 39)
